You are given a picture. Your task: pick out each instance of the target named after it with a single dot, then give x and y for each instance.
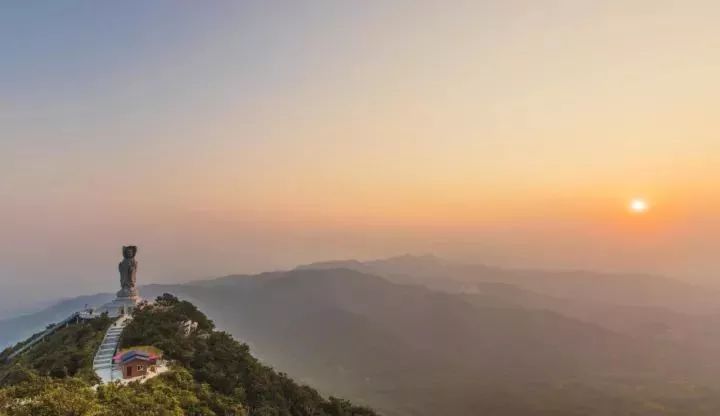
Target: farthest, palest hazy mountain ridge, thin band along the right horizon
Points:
(581, 286)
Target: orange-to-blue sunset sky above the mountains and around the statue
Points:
(242, 136)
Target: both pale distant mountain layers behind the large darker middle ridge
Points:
(639, 305)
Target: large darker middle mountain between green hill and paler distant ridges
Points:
(408, 350)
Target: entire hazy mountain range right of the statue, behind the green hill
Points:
(396, 335)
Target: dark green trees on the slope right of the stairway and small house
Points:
(231, 378)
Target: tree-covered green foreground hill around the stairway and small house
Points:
(211, 374)
